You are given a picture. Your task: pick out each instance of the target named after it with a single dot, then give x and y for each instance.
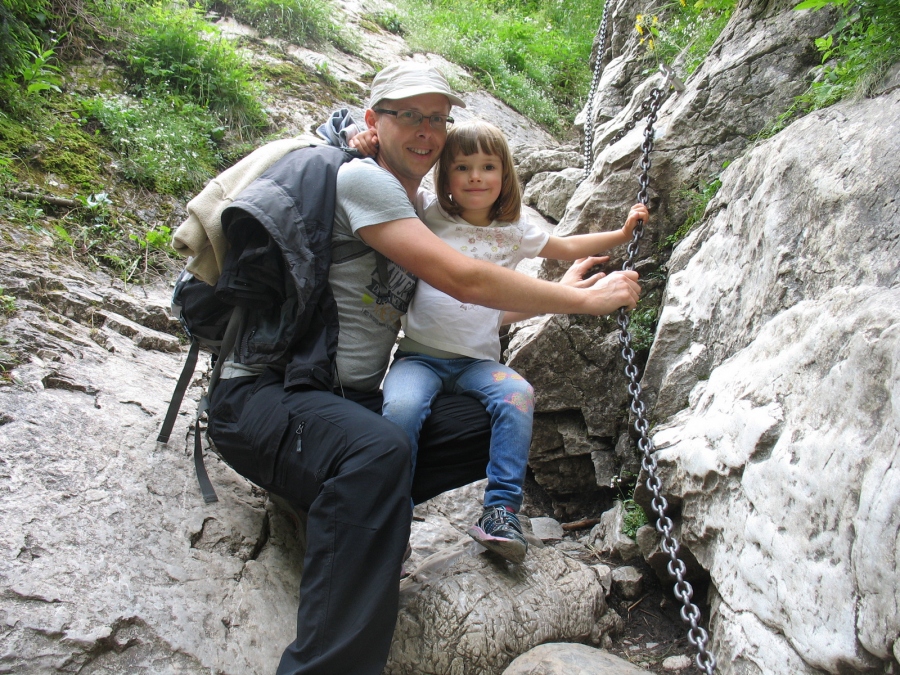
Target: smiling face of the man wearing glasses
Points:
(409, 152)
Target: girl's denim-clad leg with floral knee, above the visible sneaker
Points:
(509, 400)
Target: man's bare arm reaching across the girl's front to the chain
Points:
(409, 243)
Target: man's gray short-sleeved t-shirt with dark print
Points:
(369, 313)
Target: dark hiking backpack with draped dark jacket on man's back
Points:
(289, 207)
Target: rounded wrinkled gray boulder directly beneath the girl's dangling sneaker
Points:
(472, 614)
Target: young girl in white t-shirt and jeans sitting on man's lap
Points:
(455, 347)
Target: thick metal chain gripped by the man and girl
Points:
(690, 613)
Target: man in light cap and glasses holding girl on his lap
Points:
(332, 454)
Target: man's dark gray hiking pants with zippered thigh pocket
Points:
(348, 468)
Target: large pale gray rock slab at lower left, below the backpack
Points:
(111, 562)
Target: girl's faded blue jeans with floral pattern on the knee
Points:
(414, 381)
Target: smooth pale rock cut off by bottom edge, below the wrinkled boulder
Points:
(570, 659)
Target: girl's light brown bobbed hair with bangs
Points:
(467, 139)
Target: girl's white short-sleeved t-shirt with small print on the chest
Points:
(437, 320)
